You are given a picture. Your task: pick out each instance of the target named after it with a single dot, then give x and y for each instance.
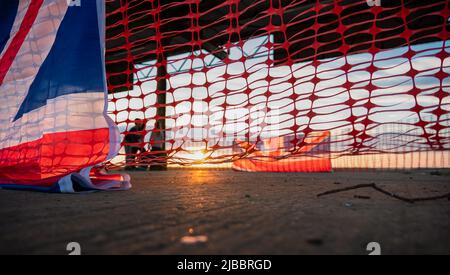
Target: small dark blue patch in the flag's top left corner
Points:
(8, 13)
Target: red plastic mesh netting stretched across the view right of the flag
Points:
(211, 79)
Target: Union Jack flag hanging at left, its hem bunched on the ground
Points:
(54, 127)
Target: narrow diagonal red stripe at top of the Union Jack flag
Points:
(11, 53)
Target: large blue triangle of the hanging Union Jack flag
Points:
(74, 64)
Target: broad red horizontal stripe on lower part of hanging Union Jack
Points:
(43, 162)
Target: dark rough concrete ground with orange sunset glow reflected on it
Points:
(234, 213)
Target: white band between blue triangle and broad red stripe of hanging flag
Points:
(72, 112)
